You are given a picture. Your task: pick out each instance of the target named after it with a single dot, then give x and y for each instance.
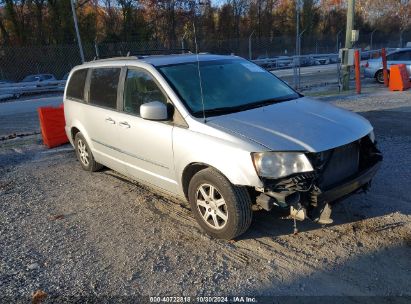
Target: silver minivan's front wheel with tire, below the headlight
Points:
(221, 209)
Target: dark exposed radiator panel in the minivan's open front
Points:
(343, 162)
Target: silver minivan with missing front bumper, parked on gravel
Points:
(235, 140)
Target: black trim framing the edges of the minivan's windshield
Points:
(199, 114)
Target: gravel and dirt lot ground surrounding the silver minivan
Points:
(72, 233)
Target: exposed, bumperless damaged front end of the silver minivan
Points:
(338, 173)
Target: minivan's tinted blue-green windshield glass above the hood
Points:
(228, 85)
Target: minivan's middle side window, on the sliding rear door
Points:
(103, 87)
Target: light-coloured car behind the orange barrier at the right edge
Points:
(373, 67)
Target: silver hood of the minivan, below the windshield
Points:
(297, 125)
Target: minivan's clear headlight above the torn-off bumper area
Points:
(280, 164)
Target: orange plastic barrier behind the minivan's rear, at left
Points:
(52, 124)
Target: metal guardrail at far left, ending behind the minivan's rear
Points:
(15, 90)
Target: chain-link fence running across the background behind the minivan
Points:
(317, 64)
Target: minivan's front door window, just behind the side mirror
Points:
(140, 88)
